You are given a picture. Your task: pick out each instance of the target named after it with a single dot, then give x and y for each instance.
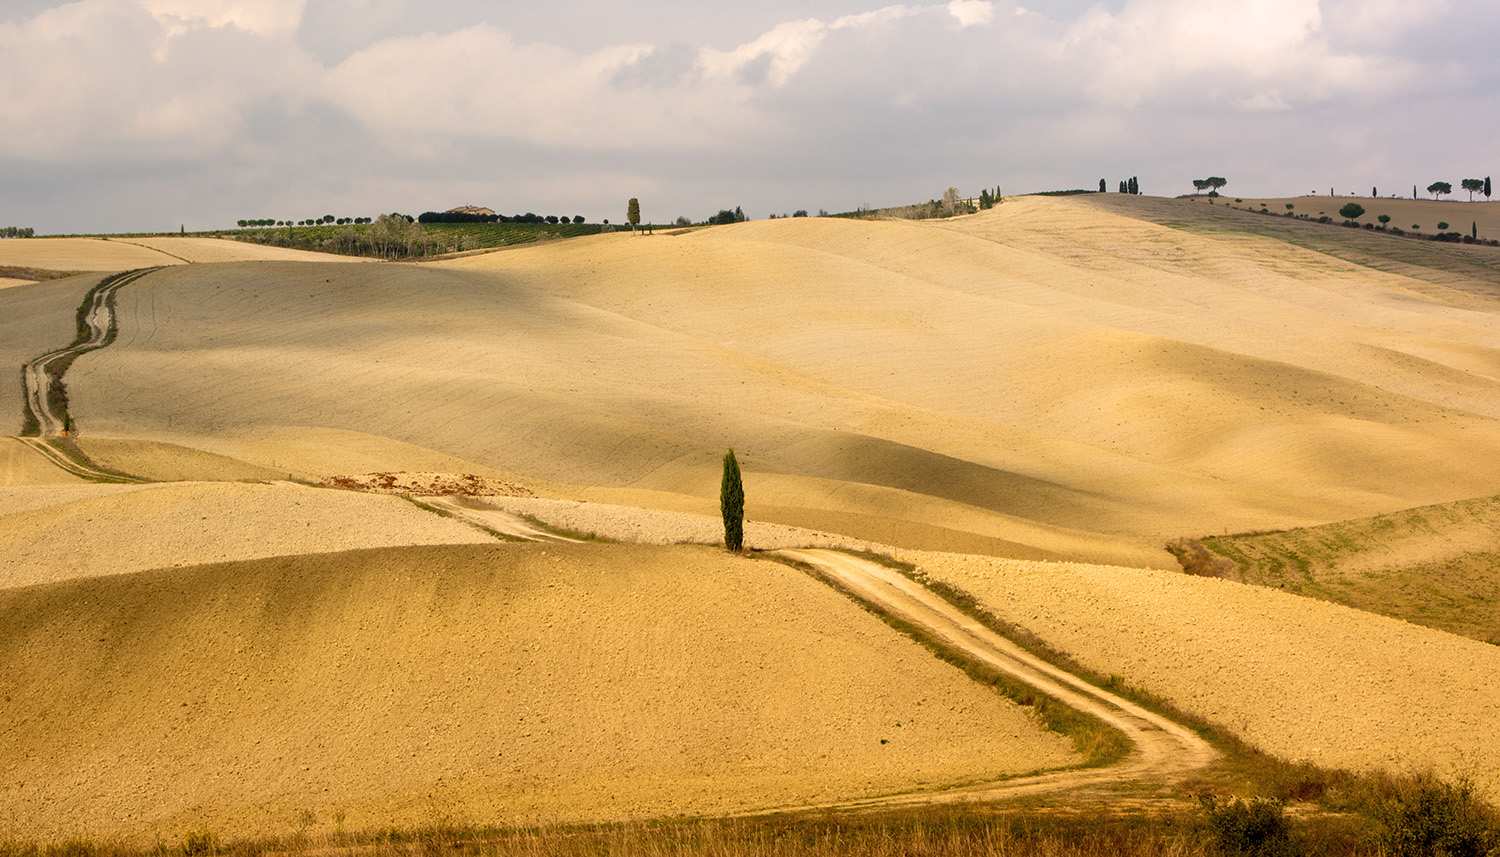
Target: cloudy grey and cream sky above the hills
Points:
(164, 115)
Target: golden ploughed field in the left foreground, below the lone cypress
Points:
(470, 684)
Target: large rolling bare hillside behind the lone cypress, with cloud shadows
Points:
(1051, 379)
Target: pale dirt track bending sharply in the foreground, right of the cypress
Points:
(1163, 750)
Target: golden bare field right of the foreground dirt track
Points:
(1298, 678)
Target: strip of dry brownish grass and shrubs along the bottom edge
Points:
(1354, 817)
